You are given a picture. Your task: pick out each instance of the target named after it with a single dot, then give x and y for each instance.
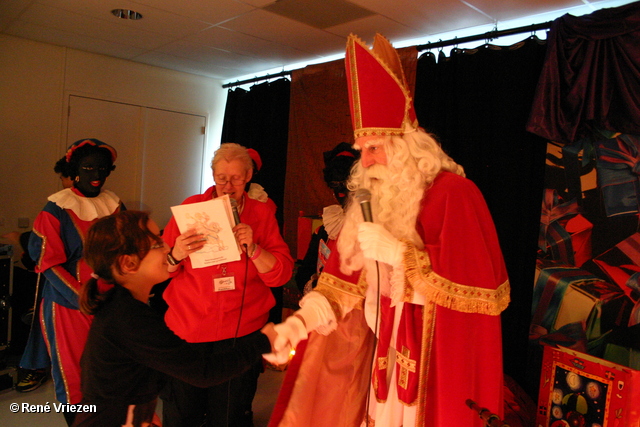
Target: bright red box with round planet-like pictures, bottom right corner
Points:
(577, 389)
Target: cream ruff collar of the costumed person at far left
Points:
(87, 208)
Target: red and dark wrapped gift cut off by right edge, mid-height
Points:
(619, 265)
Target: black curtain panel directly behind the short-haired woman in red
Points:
(259, 119)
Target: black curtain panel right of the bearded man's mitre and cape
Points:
(477, 103)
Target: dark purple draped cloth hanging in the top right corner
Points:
(591, 76)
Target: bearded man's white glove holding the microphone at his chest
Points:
(379, 244)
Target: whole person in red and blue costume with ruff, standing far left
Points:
(56, 244)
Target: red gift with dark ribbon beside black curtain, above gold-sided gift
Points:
(565, 235)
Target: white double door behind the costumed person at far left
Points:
(159, 151)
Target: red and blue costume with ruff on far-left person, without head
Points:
(57, 243)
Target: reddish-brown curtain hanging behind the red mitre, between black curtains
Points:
(319, 119)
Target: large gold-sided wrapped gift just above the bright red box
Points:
(564, 295)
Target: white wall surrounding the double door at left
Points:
(36, 80)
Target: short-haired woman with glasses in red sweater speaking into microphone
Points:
(202, 311)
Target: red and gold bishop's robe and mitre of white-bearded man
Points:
(438, 331)
